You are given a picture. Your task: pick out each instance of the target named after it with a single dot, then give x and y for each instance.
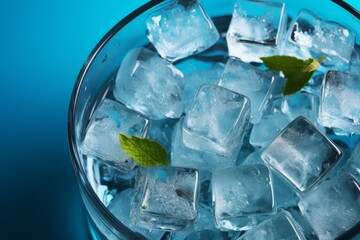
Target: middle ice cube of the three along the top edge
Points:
(256, 29)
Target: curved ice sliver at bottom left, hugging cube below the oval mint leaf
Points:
(120, 207)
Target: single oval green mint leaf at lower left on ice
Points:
(145, 152)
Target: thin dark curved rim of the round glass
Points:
(79, 171)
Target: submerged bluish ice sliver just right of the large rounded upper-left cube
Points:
(194, 81)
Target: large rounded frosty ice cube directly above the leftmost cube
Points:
(150, 85)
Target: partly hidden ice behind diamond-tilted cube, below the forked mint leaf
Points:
(280, 113)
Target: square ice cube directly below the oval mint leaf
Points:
(166, 198)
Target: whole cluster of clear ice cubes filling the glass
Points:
(246, 161)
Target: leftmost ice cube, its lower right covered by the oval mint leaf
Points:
(101, 140)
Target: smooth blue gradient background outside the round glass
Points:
(43, 45)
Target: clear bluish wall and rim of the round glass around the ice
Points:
(97, 76)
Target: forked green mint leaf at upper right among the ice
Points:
(297, 72)
